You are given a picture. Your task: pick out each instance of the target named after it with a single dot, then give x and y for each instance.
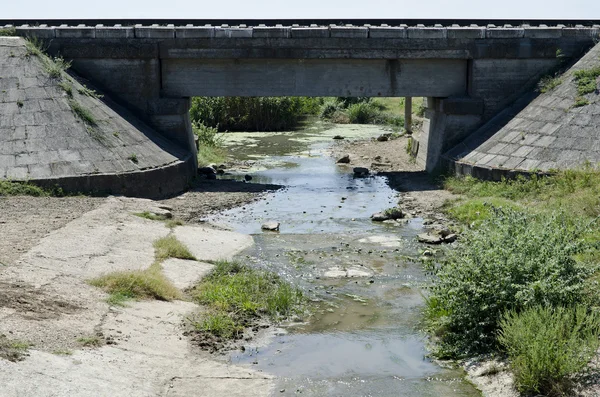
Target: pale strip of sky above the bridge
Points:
(309, 9)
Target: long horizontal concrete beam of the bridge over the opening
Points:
(312, 77)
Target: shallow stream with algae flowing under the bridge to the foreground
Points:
(365, 337)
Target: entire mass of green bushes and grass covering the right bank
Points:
(524, 277)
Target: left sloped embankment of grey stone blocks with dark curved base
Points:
(56, 131)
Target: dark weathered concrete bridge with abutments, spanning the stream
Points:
(468, 71)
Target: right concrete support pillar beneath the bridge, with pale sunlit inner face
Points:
(447, 122)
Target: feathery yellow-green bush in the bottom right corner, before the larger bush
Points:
(546, 346)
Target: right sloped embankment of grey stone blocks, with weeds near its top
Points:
(558, 130)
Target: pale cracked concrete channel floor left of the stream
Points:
(150, 355)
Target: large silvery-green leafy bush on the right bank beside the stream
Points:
(513, 261)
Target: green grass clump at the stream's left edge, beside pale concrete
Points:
(236, 295)
